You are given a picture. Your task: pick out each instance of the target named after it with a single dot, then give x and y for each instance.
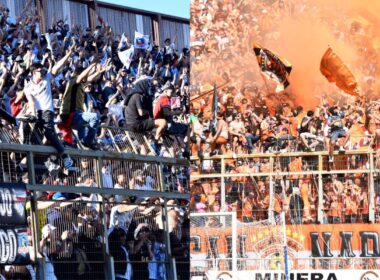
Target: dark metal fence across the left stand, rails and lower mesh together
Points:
(85, 203)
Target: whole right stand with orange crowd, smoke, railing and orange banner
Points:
(309, 152)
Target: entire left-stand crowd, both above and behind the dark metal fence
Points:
(66, 87)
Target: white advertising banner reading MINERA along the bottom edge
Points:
(296, 275)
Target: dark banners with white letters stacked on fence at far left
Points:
(13, 225)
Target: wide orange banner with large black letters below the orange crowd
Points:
(303, 241)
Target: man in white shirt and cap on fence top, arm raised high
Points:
(40, 98)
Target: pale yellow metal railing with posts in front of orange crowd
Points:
(241, 171)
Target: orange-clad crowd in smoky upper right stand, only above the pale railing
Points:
(253, 118)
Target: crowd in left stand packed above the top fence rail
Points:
(75, 78)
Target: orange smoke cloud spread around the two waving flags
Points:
(301, 33)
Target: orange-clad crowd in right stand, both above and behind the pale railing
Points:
(251, 118)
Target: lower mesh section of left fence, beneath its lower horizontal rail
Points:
(84, 238)
